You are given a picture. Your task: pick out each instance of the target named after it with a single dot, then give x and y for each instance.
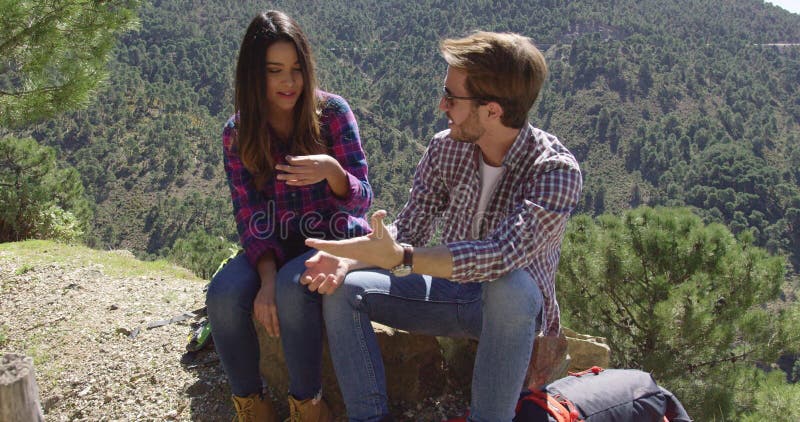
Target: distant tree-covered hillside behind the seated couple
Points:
(670, 103)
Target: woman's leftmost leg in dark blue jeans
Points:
(230, 311)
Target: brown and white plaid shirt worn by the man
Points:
(523, 224)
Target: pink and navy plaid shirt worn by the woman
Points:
(280, 217)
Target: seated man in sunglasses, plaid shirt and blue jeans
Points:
(502, 191)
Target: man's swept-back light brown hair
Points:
(502, 67)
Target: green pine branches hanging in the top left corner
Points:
(53, 54)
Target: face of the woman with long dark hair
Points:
(284, 76)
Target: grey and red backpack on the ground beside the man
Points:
(598, 395)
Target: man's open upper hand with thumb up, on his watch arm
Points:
(377, 248)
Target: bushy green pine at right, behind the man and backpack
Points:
(674, 297)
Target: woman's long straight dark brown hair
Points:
(253, 139)
